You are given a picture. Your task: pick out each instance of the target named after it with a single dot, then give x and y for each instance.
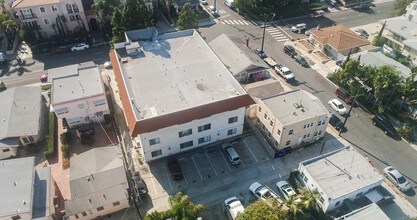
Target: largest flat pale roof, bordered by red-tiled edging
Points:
(175, 72)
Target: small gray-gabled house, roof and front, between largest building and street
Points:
(241, 61)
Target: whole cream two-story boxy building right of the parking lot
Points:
(292, 119)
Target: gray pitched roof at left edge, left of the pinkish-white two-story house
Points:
(20, 106)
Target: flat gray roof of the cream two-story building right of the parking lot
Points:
(294, 106)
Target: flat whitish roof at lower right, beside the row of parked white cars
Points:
(341, 172)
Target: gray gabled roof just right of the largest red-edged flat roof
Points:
(237, 57)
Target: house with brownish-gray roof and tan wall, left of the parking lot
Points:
(98, 184)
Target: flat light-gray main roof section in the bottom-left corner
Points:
(16, 186)
